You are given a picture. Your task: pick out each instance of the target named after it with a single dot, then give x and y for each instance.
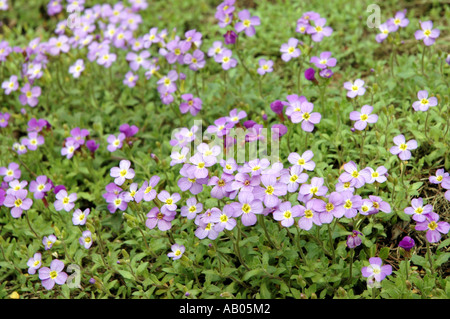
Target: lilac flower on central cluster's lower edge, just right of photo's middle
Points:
(247, 208)
